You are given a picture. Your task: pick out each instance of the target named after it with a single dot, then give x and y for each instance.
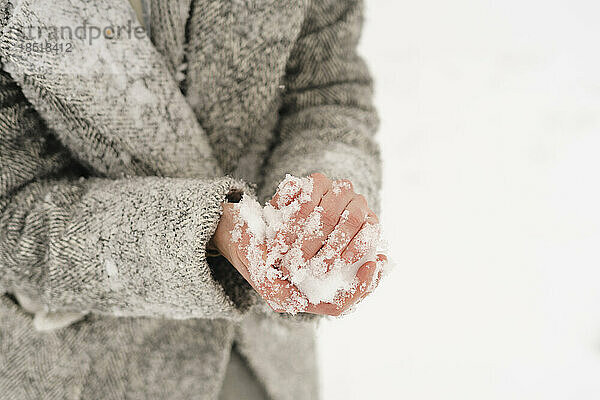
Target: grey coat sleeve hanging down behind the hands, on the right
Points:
(327, 119)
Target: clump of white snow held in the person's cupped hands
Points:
(271, 238)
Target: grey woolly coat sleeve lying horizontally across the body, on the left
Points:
(129, 247)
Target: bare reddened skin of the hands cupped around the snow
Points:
(343, 214)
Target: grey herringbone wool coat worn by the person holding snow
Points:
(116, 153)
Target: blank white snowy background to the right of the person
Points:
(491, 139)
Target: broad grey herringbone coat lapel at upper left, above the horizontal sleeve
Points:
(108, 93)
